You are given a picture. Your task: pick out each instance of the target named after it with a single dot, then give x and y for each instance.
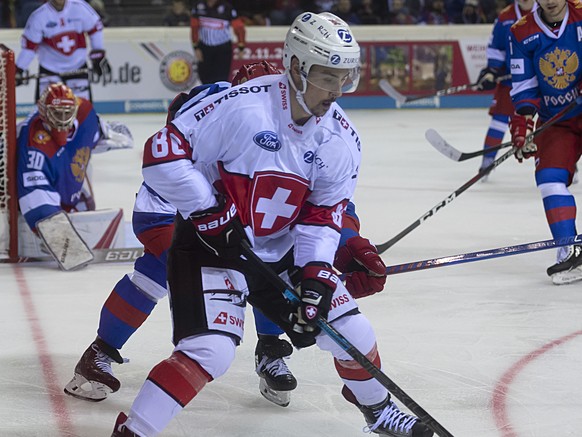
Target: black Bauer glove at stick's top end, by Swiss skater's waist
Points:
(219, 228)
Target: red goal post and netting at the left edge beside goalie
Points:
(8, 195)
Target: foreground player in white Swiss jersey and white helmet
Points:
(274, 161)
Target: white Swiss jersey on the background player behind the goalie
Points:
(59, 36)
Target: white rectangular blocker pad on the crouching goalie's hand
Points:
(63, 242)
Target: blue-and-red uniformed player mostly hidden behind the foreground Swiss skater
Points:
(134, 297)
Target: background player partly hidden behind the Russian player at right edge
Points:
(498, 65)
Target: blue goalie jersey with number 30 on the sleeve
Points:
(50, 178)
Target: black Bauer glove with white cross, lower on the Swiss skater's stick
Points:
(317, 282)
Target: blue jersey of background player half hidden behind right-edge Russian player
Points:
(499, 40)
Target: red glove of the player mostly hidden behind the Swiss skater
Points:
(366, 270)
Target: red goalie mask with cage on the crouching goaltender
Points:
(58, 108)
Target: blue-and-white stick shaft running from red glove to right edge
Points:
(482, 255)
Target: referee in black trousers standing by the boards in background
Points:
(210, 24)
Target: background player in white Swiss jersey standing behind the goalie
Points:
(57, 31)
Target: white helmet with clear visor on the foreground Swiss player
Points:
(326, 40)
